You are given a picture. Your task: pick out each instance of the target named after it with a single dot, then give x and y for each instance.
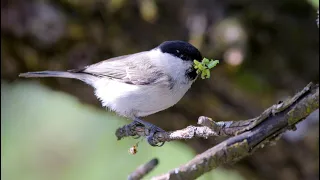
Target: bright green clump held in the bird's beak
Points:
(204, 67)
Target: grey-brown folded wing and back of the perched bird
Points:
(131, 69)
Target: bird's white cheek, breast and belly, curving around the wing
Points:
(141, 100)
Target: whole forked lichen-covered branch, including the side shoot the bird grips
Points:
(248, 135)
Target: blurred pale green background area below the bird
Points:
(70, 140)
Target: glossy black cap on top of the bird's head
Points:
(181, 49)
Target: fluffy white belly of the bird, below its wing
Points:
(138, 101)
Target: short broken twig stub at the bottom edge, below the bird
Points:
(143, 170)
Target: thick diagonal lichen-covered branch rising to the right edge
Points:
(239, 146)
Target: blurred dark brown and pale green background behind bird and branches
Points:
(55, 129)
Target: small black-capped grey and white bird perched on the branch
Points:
(141, 84)
